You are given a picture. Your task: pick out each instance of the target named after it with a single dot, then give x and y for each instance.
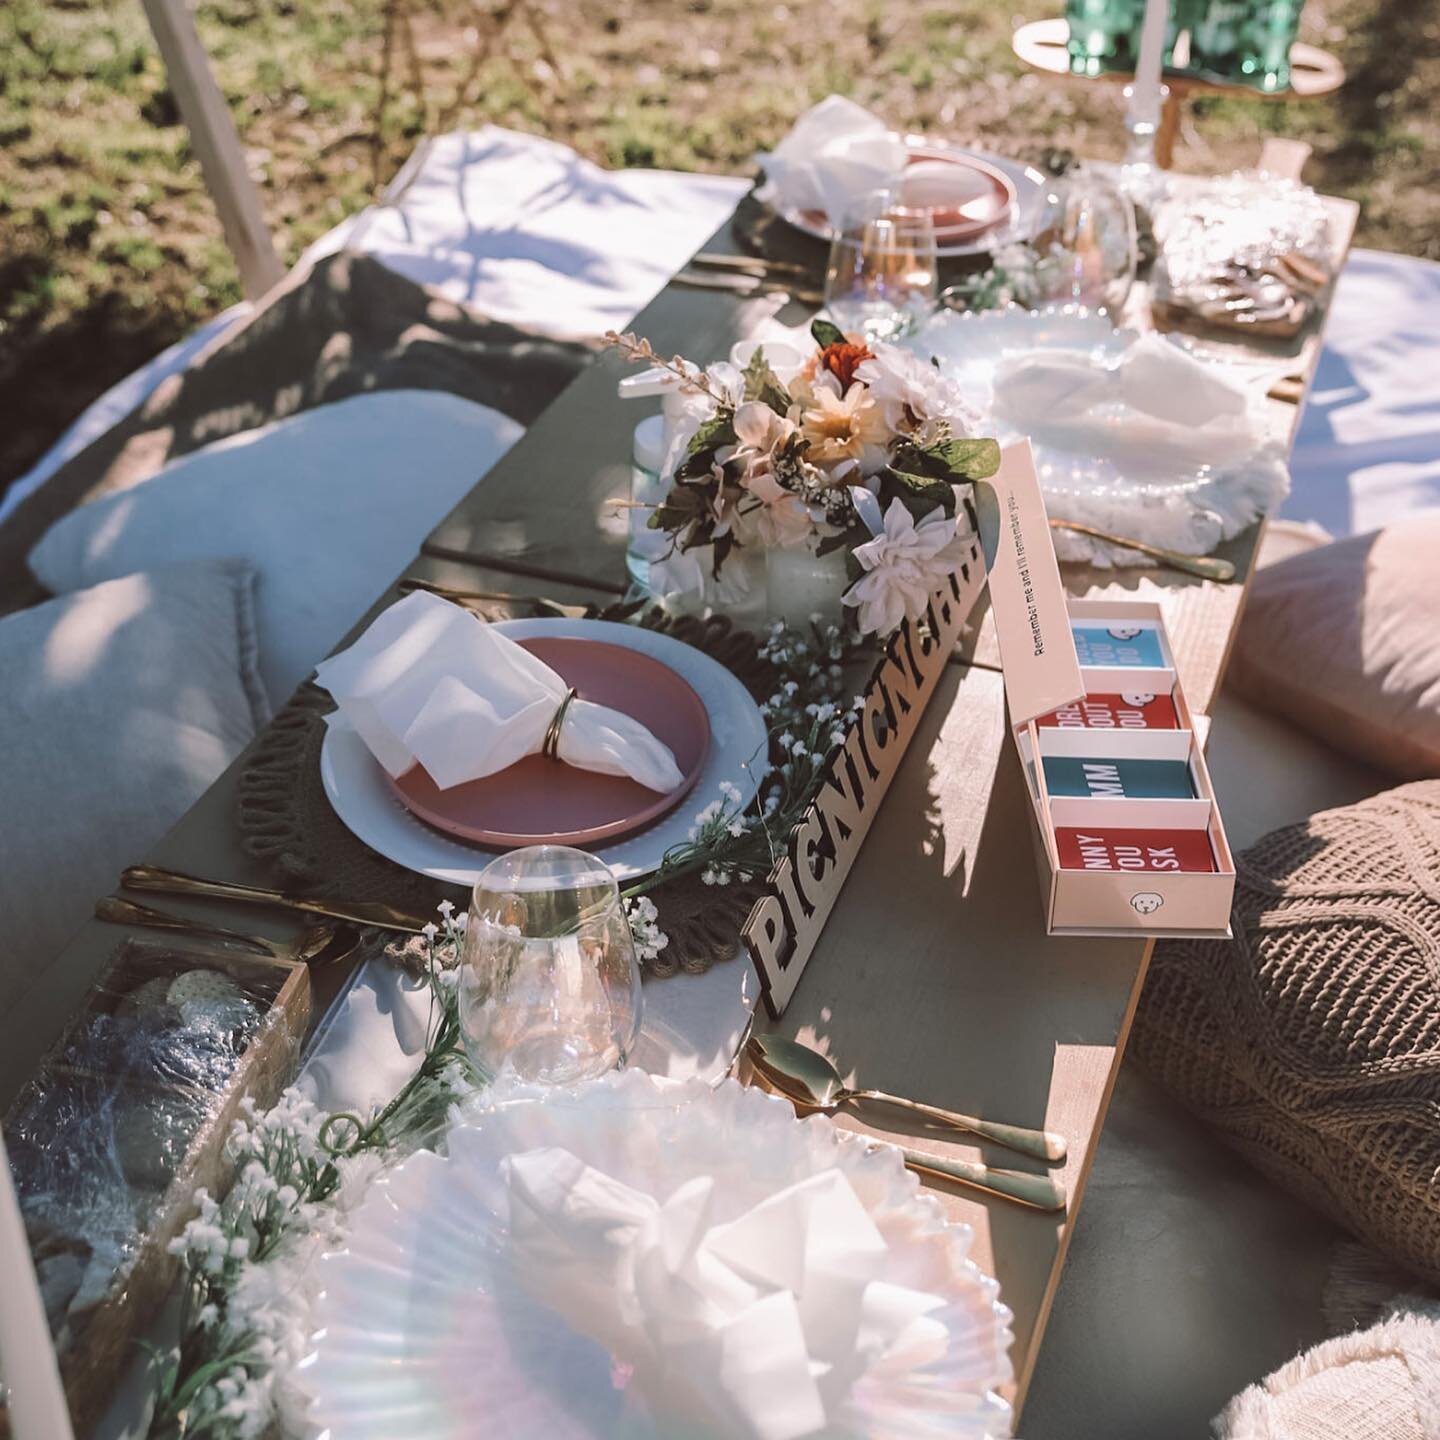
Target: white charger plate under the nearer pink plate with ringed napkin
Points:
(362, 797)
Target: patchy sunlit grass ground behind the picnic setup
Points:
(110, 248)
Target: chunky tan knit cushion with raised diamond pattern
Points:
(1313, 1040)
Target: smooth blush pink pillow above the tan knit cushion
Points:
(1344, 642)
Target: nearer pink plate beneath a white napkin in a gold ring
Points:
(548, 803)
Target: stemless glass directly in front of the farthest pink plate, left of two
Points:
(883, 276)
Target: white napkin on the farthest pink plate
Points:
(834, 159)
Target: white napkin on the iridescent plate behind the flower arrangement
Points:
(1154, 378)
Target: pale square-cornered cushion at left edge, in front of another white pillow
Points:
(120, 706)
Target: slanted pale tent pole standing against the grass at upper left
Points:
(218, 146)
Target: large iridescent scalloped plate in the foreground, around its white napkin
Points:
(426, 1331)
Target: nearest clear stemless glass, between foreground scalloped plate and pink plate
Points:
(549, 986)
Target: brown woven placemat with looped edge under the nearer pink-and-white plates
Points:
(287, 822)
